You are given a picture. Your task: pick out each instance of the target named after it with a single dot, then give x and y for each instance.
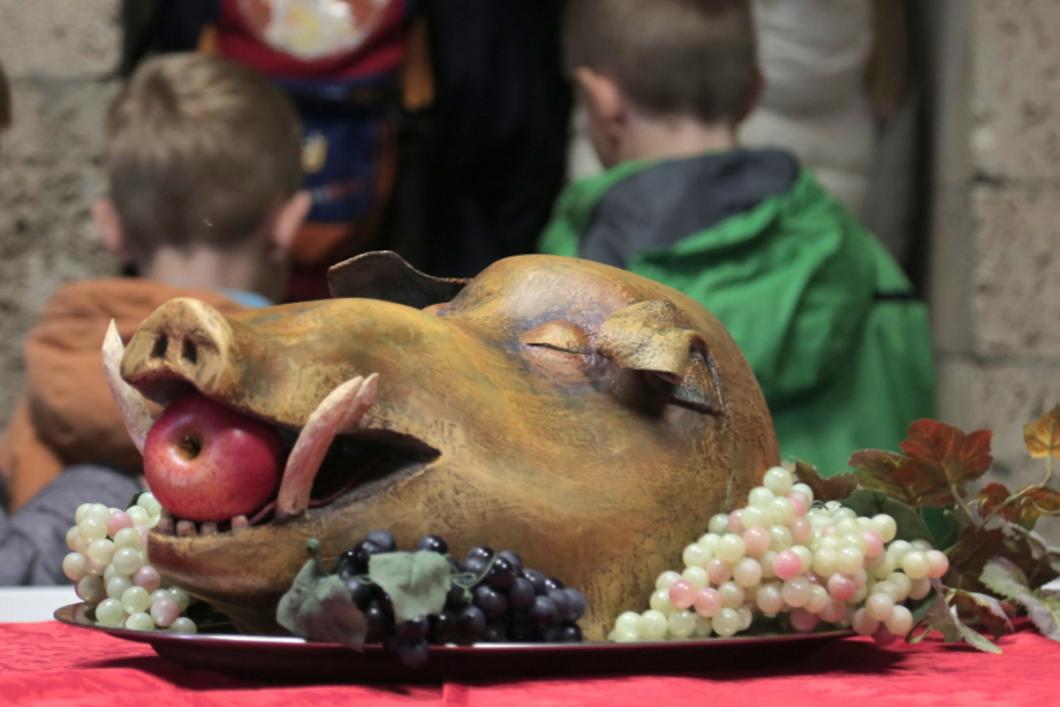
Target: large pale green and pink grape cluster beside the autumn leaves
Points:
(784, 557)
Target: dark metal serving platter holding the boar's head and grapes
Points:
(279, 659)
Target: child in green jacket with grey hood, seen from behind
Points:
(831, 325)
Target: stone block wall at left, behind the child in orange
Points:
(60, 58)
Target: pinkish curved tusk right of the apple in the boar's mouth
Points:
(341, 411)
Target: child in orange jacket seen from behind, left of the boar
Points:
(203, 162)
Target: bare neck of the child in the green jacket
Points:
(674, 137)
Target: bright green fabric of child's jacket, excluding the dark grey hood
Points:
(828, 322)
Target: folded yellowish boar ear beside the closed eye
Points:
(652, 339)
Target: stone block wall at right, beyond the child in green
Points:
(996, 241)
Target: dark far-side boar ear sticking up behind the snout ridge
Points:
(384, 275)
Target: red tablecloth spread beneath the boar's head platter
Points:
(43, 664)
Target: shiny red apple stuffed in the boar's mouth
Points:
(205, 462)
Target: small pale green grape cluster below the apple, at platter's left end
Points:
(109, 564)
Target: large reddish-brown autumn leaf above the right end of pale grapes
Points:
(940, 461)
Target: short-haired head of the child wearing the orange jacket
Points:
(204, 164)
